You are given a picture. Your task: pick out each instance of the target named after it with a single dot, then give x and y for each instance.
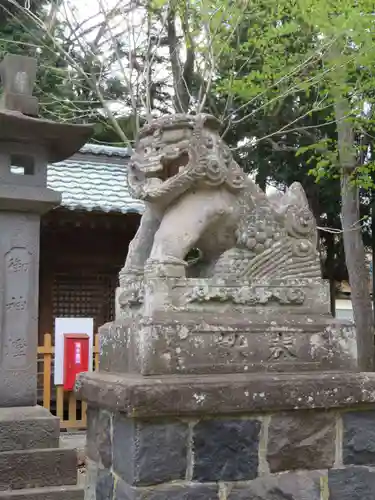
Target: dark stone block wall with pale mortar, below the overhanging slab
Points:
(298, 455)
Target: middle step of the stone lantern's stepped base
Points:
(37, 468)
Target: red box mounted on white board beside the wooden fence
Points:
(76, 357)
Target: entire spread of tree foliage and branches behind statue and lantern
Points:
(270, 70)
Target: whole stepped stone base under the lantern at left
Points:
(31, 463)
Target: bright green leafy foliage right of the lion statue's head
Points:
(276, 87)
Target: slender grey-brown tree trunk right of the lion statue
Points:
(353, 244)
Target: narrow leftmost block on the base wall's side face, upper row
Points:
(99, 442)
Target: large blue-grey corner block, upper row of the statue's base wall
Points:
(147, 452)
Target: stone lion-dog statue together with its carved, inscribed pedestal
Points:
(253, 301)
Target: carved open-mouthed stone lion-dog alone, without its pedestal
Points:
(197, 196)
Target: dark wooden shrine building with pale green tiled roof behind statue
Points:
(84, 241)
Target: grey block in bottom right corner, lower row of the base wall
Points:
(351, 483)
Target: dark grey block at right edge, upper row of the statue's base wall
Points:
(359, 438)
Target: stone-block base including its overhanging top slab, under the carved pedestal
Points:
(302, 449)
